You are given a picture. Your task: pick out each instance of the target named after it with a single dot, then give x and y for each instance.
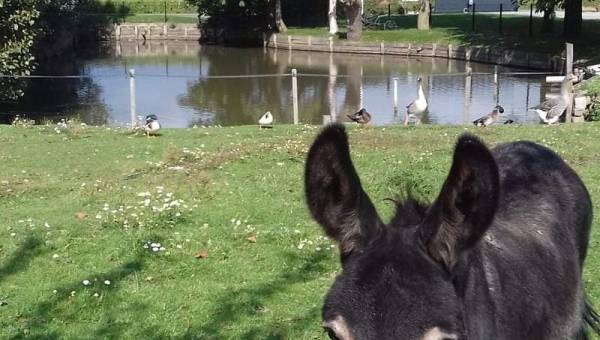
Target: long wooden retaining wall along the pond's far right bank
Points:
(530, 60)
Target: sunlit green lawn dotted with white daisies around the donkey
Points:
(241, 257)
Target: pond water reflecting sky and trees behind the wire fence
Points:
(179, 82)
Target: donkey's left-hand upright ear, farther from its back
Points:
(334, 194)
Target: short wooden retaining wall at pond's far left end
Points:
(155, 32)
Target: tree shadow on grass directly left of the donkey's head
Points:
(235, 306)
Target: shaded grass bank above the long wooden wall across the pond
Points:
(457, 29)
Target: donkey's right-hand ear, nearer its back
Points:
(466, 204)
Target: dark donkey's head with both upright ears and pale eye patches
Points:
(399, 281)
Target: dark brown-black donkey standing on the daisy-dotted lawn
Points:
(498, 254)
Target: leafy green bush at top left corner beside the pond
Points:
(18, 32)
